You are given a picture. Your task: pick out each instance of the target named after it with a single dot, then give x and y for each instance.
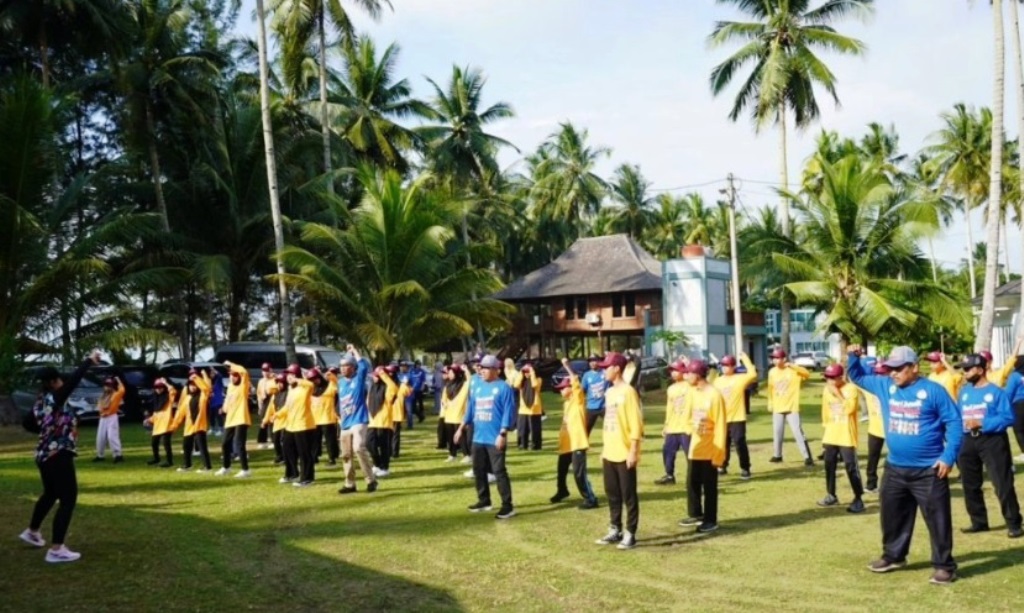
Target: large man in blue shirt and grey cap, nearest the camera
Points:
(924, 433)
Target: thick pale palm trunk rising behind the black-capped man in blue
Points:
(984, 340)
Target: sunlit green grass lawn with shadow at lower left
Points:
(158, 541)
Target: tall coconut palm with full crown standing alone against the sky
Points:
(780, 42)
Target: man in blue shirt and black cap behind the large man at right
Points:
(988, 416)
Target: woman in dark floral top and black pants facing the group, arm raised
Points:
(56, 459)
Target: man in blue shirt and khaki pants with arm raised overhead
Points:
(355, 419)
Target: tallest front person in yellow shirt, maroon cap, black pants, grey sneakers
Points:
(623, 431)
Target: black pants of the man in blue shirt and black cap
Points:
(992, 453)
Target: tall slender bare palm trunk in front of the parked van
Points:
(272, 183)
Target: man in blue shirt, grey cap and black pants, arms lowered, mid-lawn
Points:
(492, 412)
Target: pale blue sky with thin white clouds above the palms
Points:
(635, 75)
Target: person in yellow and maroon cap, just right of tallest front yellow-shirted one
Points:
(705, 410)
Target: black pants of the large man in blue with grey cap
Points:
(904, 491)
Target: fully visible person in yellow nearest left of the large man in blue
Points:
(840, 406)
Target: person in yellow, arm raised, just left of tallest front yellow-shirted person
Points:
(574, 442)
